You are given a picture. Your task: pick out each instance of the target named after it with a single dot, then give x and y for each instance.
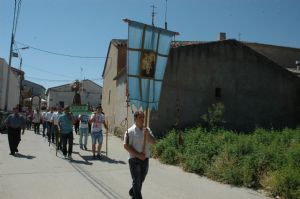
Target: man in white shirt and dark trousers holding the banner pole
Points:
(136, 142)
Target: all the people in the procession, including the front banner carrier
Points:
(59, 125)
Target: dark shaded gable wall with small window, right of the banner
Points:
(255, 90)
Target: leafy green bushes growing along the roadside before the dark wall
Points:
(266, 159)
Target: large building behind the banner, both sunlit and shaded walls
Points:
(257, 83)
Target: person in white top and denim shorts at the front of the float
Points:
(97, 120)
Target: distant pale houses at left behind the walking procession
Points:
(15, 90)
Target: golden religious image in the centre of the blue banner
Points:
(148, 64)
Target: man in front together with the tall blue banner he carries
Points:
(147, 55)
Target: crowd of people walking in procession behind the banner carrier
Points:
(58, 126)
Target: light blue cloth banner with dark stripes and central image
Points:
(147, 55)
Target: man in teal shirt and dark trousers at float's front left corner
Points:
(65, 123)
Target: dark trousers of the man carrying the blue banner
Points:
(138, 170)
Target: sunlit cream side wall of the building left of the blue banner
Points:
(114, 87)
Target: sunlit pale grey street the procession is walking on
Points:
(37, 173)
